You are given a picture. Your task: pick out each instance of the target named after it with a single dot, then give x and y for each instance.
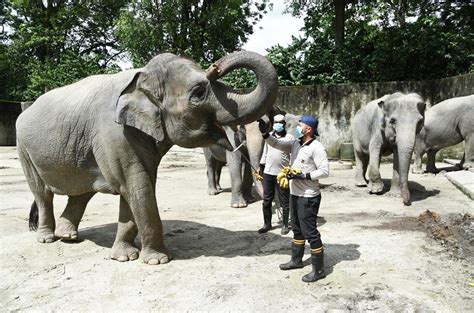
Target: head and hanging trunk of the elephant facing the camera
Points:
(403, 117)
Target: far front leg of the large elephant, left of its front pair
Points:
(124, 248)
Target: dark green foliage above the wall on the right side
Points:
(384, 41)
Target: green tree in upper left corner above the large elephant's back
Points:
(55, 42)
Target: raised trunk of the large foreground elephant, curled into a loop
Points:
(234, 108)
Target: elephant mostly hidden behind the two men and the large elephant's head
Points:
(240, 171)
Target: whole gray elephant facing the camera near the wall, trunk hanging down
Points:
(384, 126)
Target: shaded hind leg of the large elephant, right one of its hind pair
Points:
(68, 222)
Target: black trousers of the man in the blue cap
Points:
(304, 212)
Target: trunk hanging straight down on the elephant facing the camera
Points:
(405, 151)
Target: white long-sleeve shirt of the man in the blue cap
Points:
(310, 157)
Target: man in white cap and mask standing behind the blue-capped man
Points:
(272, 162)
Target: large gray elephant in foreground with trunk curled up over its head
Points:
(108, 133)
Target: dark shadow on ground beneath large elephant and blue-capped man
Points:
(189, 240)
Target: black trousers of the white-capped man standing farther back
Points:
(269, 185)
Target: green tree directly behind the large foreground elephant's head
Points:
(202, 30)
